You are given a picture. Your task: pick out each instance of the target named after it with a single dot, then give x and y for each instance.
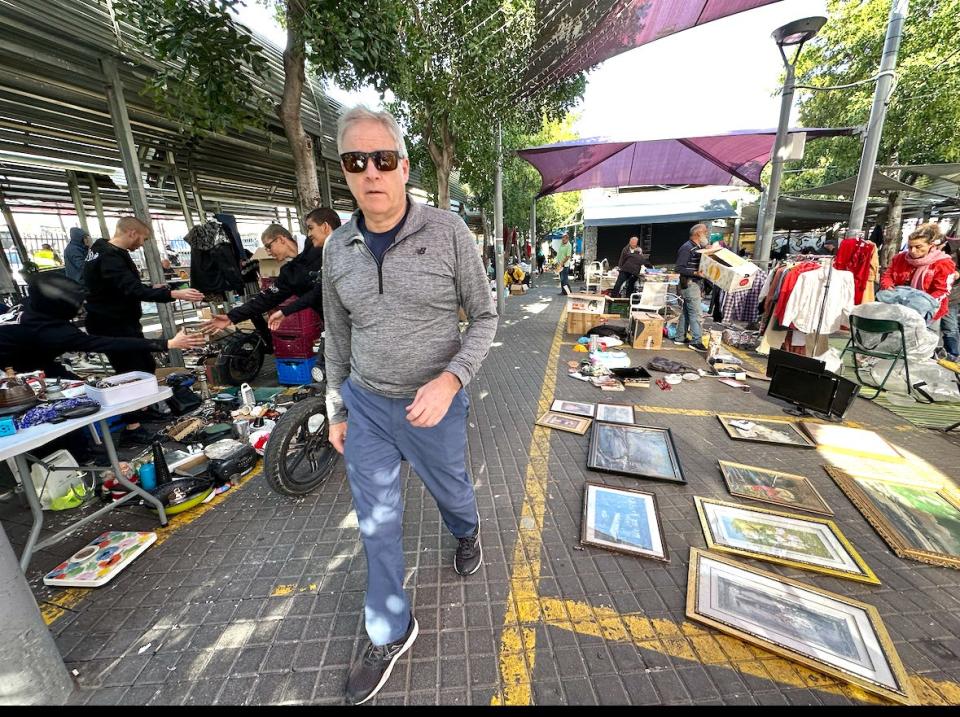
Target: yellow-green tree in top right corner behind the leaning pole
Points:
(923, 117)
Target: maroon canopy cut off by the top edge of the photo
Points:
(578, 34)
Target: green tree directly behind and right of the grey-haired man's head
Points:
(459, 72)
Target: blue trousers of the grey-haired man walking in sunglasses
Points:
(379, 436)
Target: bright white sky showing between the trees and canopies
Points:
(721, 76)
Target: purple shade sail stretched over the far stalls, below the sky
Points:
(717, 159)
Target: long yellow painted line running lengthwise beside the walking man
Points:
(517, 642)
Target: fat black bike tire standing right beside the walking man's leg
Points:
(298, 461)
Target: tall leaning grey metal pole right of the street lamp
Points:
(878, 112)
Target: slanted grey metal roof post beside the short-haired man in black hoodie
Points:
(138, 197)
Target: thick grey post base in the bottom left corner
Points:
(32, 668)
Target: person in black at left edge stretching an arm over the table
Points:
(34, 338)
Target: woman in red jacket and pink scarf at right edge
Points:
(923, 266)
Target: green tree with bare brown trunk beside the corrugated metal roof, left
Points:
(213, 72)
